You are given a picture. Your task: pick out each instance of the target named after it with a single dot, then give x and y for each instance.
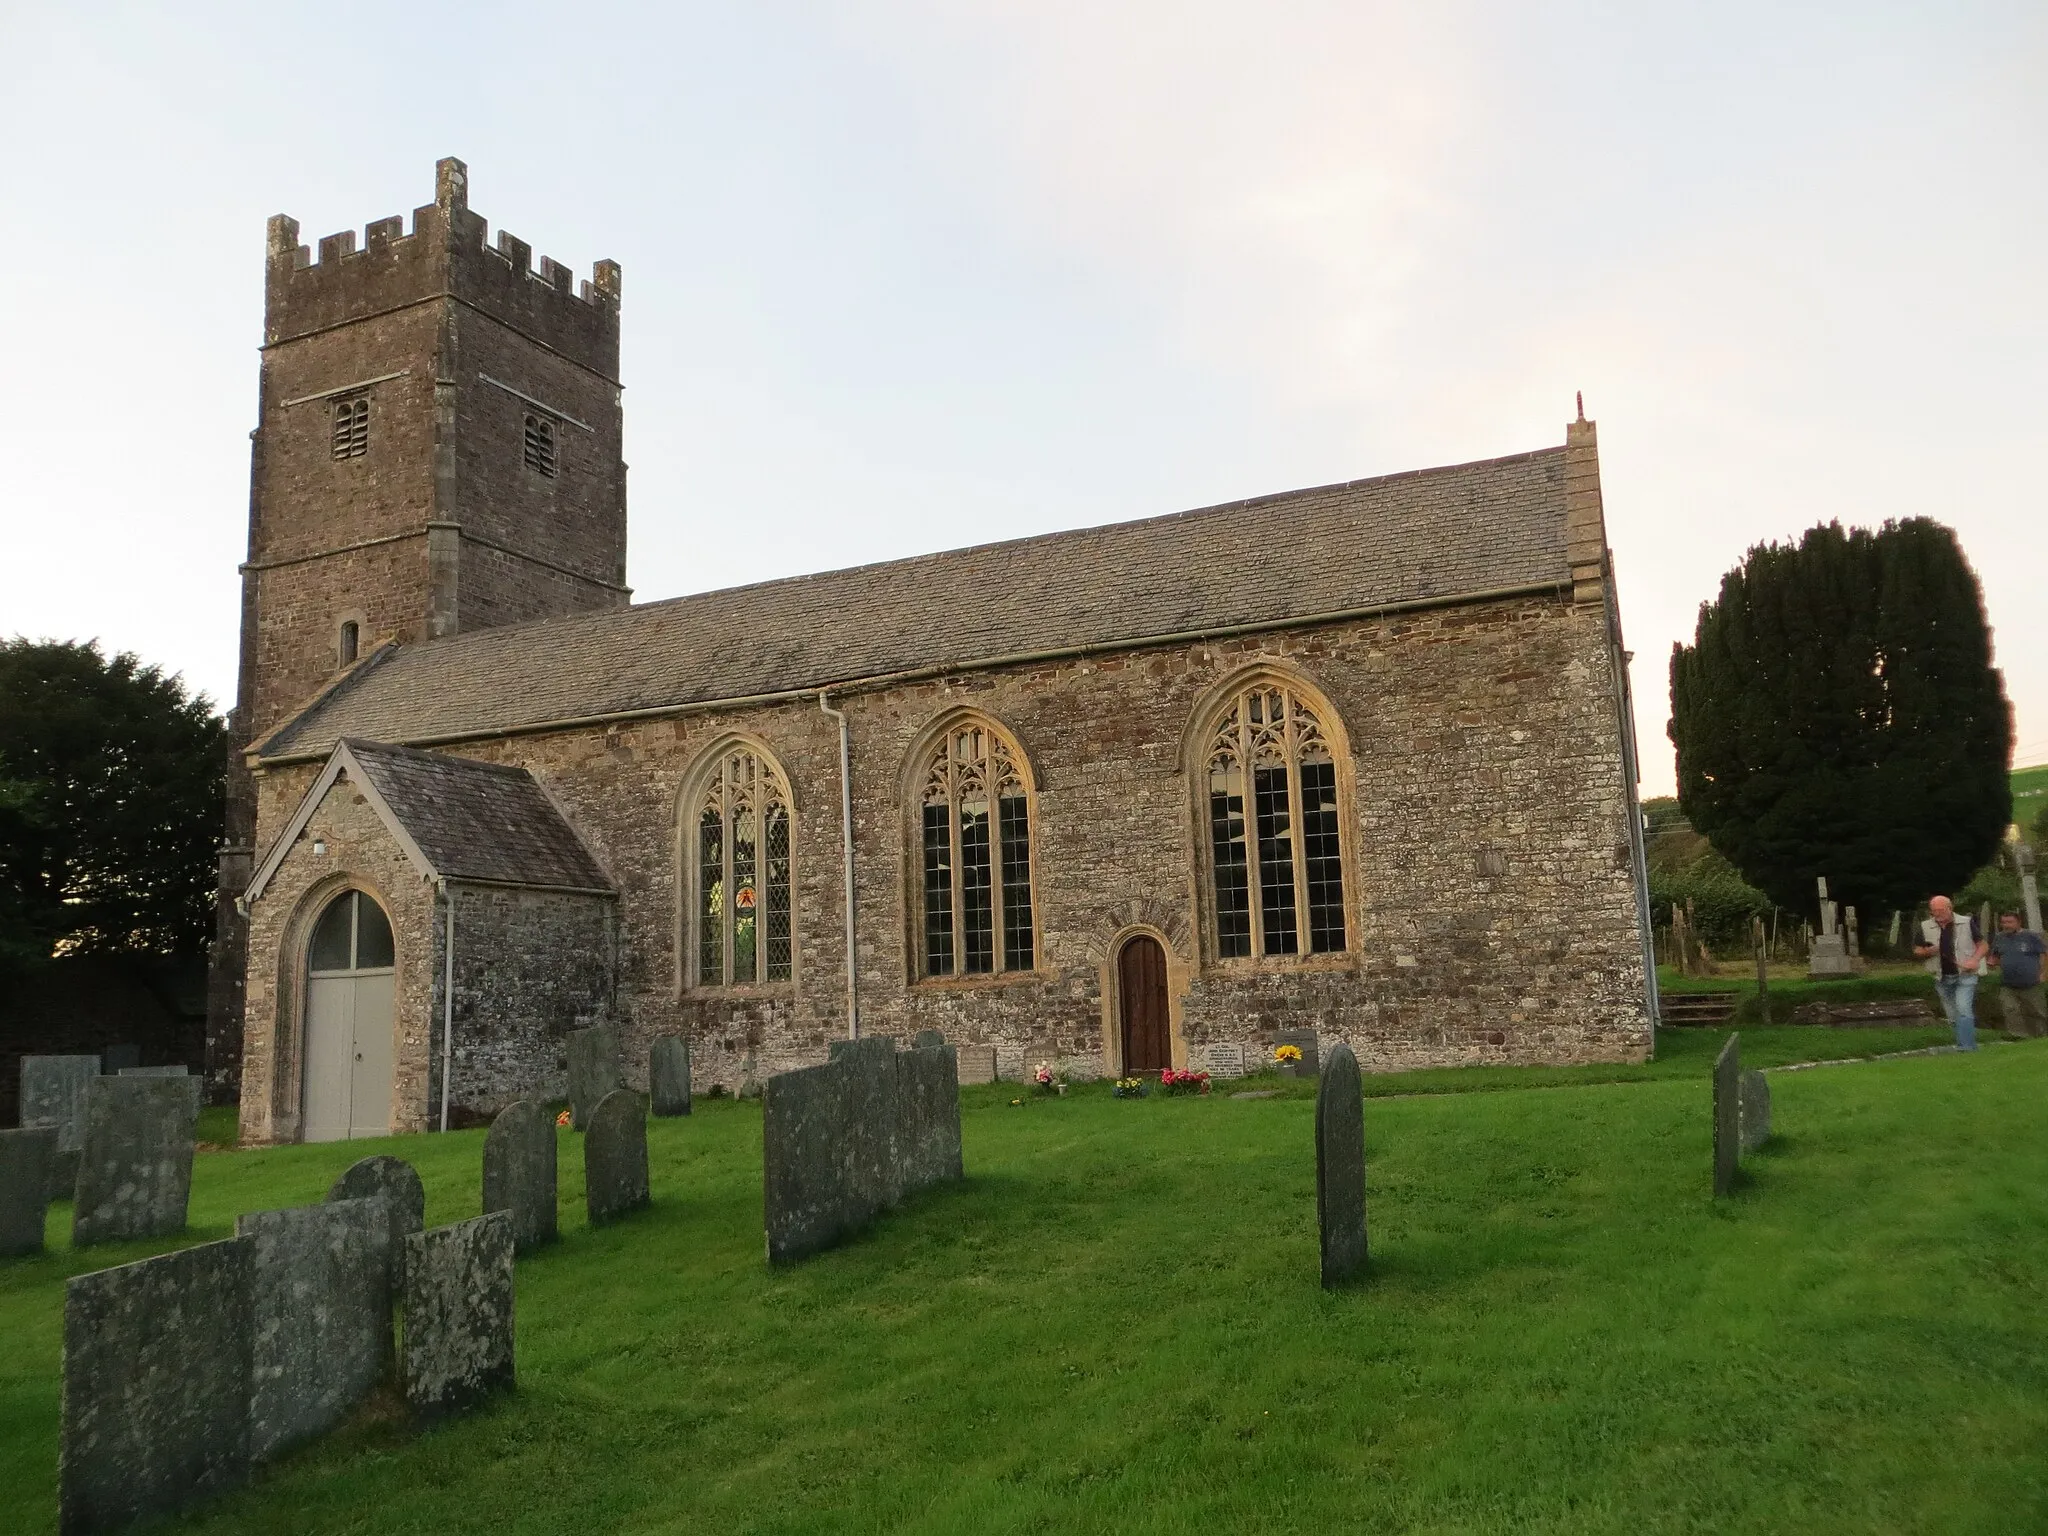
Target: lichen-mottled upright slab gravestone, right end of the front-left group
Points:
(458, 1316)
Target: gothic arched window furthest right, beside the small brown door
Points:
(1275, 849)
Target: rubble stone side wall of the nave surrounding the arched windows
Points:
(1482, 738)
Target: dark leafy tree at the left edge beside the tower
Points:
(112, 802)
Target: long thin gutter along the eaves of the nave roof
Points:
(943, 671)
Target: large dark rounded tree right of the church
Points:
(1838, 716)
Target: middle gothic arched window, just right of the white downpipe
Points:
(976, 830)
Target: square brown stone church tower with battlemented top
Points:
(437, 452)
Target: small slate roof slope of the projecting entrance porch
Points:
(478, 820)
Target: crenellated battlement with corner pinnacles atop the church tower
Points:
(445, 255)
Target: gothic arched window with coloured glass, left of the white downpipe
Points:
(738, 841)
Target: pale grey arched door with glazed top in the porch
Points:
(349, 974)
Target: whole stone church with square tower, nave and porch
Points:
(1353, 759)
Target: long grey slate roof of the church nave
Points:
(1424, 536)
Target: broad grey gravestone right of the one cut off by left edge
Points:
(136, 1168)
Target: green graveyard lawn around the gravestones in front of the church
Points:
(1115, 1324)
